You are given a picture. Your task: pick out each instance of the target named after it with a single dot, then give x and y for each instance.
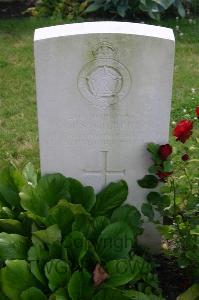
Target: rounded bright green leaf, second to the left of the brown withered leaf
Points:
(58, 273)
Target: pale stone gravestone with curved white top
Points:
(103, 91)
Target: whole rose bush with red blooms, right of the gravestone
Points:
(178, 201)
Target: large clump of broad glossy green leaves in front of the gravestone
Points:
(75, 244)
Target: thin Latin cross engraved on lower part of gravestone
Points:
(104, 172)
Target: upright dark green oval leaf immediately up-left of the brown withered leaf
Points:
(77, 246)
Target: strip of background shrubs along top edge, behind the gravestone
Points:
(109, 8)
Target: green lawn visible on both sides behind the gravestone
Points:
(18, 123)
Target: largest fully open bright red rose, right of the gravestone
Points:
(183, 130)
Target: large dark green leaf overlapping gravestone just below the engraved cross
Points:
(110, 197)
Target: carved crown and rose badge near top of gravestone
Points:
(104, 81)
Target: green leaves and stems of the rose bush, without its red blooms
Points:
(178, 203)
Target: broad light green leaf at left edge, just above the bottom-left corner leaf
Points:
(13, 246)
